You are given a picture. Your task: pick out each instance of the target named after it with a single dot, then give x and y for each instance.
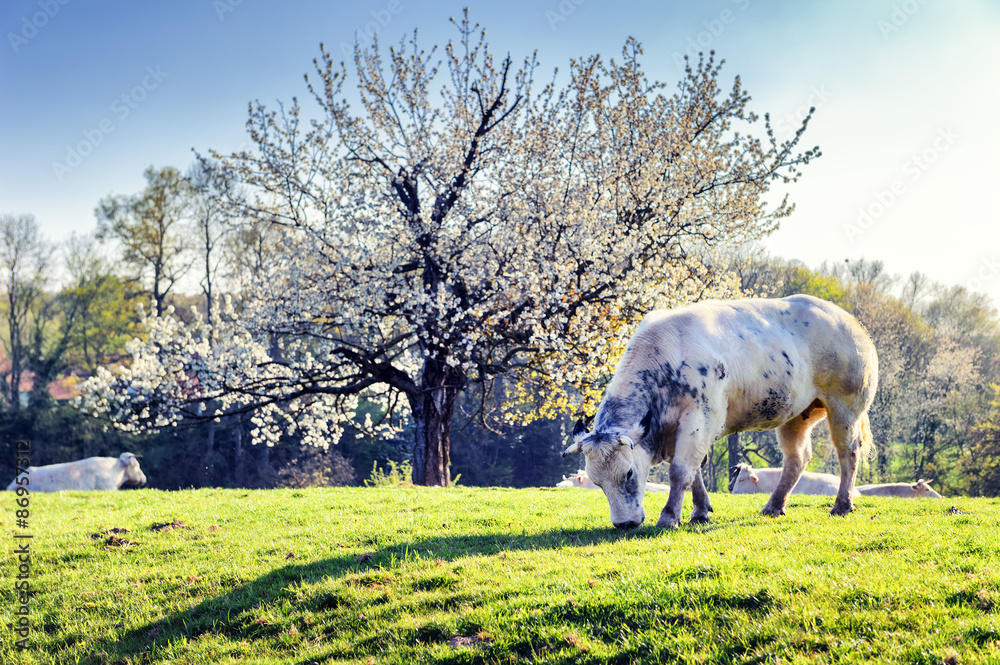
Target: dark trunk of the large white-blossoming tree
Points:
(432, 409)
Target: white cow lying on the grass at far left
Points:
(93, 473)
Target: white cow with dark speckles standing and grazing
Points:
(692, 375)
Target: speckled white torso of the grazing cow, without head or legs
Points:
(760, 361)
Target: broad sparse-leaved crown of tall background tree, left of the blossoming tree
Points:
(150, 229)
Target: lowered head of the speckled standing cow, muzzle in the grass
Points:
(617, 465)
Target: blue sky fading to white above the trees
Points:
(907, 96)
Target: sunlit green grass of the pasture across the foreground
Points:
(395, 575)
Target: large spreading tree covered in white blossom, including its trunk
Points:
(464, 223)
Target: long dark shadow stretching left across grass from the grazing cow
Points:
(231, 613)
